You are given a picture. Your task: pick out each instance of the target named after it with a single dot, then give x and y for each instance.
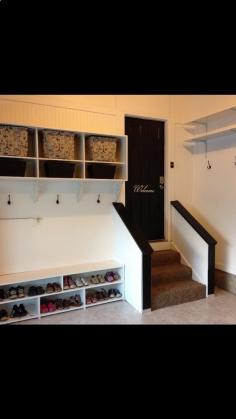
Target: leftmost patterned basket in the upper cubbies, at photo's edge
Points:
(13, 141)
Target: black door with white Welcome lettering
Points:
(145, 187)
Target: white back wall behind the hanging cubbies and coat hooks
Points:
(75, 231)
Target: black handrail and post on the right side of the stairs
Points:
(206, 237)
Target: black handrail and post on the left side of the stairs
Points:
(145, 248)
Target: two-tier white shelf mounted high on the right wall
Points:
(213, 126)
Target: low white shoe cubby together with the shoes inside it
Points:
(29, 291)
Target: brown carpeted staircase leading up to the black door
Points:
(172, 282)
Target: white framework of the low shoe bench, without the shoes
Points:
(56, 275)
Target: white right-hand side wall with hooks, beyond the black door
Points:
(209, 194)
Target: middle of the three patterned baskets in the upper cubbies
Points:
(58, 145)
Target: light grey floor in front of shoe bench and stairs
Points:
(216, 309)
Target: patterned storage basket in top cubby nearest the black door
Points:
(101, 148)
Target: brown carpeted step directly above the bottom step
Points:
(170, 273)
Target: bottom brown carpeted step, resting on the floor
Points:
(176, 292)
